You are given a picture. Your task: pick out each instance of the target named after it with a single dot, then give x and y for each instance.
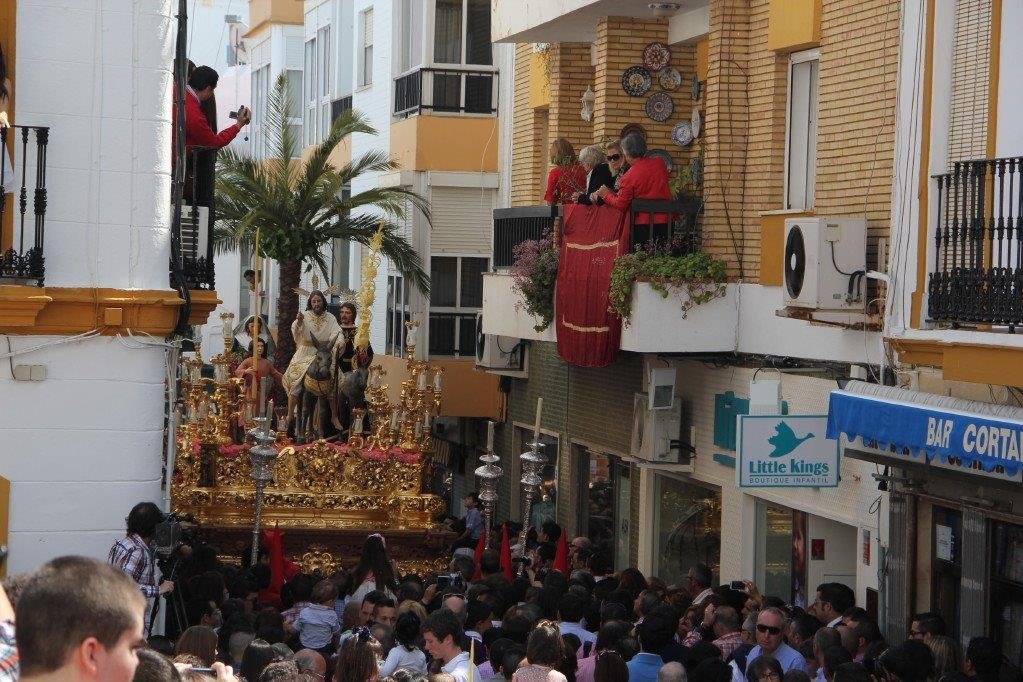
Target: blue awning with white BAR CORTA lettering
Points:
(951, 431)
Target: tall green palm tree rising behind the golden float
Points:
(297, 208)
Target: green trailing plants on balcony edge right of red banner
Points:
(697, 278)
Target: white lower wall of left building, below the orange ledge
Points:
(80, 448)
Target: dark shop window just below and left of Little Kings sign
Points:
(688, 528)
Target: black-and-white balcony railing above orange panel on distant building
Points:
(449, 90)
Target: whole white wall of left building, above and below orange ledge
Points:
(86, 444)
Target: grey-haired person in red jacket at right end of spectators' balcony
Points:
(647, 179)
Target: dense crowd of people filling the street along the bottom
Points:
(480, 621)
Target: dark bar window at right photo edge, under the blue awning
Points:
(1007, 590)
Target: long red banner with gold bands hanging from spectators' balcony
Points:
(589, 335)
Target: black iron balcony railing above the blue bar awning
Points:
(977, 275)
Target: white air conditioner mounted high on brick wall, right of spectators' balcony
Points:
(825, 263)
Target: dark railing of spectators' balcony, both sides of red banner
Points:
(678, 221)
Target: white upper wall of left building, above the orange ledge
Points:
(102, 79)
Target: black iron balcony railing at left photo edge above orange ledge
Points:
(23, 260)
